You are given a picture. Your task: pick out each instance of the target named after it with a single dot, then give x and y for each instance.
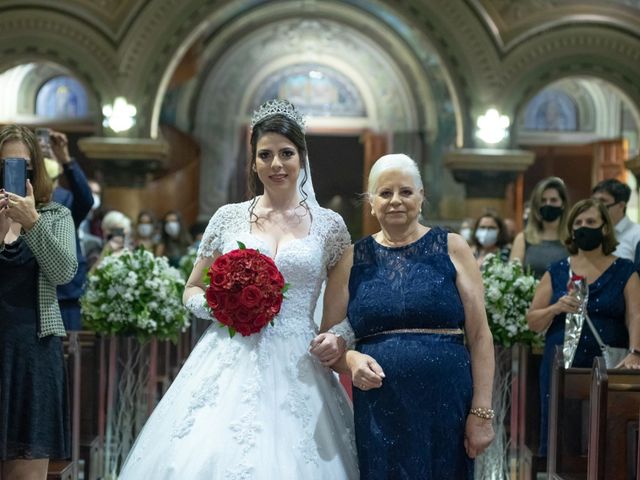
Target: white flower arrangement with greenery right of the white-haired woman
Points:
(508, 291)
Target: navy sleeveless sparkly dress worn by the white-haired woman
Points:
(413, 426)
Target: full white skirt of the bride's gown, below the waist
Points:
(257, 407)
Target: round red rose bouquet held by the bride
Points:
(245, 290)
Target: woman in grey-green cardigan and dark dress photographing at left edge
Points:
(37, 253)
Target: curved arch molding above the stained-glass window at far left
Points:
(31, 35)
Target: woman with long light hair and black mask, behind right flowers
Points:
(540, 243)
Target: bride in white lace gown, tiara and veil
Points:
(259, 407)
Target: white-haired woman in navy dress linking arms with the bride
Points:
(423, 406)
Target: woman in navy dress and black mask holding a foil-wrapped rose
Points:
(613, 302)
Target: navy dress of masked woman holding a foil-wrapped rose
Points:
(606, 309)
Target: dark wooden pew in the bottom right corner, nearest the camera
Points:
(615, 399)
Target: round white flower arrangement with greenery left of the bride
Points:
(135, 293)
